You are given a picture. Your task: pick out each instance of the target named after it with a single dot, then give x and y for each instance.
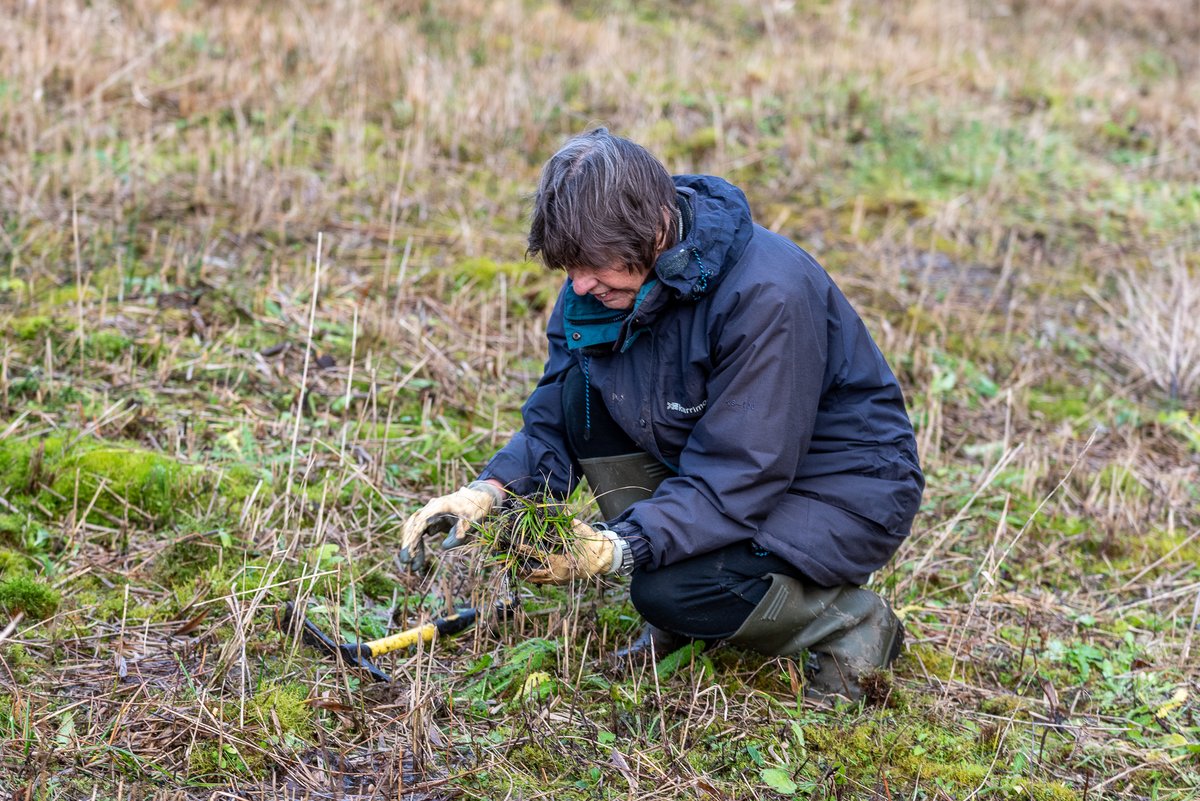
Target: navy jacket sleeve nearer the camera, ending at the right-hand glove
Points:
(770, 347)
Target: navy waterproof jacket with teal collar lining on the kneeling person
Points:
(745, 369)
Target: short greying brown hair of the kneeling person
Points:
(601, 203)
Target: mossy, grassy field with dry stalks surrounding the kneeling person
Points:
(263, 288)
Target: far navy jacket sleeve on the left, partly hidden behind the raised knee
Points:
(537, 459)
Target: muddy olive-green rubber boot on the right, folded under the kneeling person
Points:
(850, 633)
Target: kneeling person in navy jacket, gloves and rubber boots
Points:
(745, 437)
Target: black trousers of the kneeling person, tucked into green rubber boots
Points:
(704, 598)
